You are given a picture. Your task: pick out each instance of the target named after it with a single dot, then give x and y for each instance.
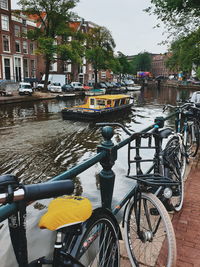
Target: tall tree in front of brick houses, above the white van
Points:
(54, 17)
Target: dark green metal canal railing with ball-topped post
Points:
(106, 156)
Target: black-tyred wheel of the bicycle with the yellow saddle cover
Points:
(99, 245)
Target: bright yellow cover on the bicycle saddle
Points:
(65, 211)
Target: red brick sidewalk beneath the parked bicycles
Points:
(186, 223)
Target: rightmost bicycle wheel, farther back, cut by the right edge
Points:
(192, 139)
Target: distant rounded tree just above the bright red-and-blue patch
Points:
(141, 62)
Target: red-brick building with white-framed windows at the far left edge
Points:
(17, 59)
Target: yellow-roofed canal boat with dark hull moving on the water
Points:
(98, 107)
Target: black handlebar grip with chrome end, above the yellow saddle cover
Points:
(39, 191)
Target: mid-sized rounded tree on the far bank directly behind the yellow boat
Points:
(99, 49)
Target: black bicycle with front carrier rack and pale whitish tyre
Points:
(145, 214)
